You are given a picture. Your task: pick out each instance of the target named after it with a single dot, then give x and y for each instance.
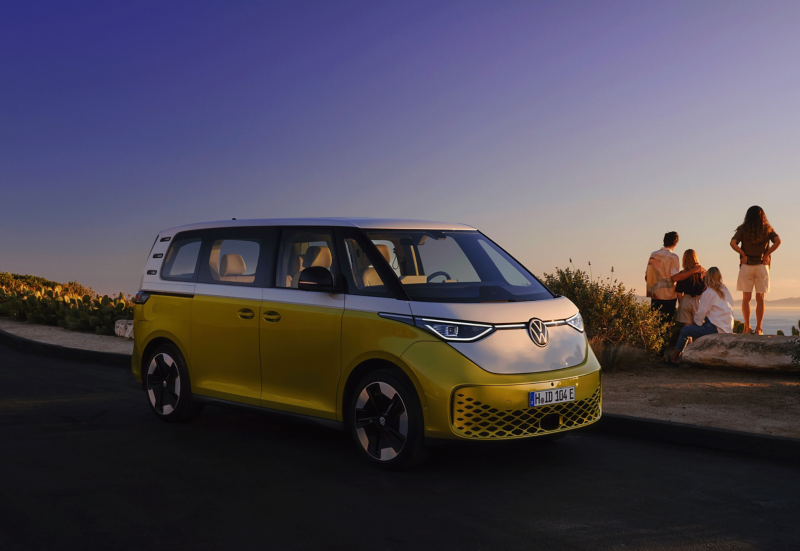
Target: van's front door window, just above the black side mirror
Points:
(301, 249)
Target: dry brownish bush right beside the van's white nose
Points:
(612, 315)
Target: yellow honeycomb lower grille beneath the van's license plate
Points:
(475, 419)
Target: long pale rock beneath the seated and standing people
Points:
(763, 352)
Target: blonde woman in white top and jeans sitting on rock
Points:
(714, 314)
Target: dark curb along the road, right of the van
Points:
(760, 445)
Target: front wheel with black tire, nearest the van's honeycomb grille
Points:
(386, 421)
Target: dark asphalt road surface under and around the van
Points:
(85, 465)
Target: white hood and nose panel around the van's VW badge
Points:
(512, 351)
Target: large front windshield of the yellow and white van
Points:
(455, 266)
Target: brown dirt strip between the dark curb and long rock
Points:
(764, 403)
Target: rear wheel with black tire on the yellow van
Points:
(167, 386)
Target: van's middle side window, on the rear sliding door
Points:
(232, 261)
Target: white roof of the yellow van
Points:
(365, 223)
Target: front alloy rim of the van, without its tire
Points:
(381, 421)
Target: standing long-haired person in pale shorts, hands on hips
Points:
(752, 241)
